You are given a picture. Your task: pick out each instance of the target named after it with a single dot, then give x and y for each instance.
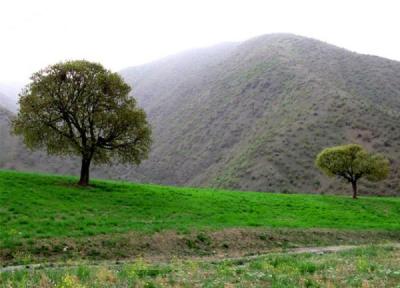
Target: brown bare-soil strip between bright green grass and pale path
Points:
(165, 245)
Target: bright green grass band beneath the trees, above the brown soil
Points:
(40, 206)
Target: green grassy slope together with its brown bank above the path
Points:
(40, 215)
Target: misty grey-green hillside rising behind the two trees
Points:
(253, 115)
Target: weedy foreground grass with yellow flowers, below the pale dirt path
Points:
(361, 267)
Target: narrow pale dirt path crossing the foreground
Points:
(315, 250)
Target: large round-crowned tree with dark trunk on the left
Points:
(80, 108)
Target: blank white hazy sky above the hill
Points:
(122, 33)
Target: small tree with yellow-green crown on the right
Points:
(352, 162)
